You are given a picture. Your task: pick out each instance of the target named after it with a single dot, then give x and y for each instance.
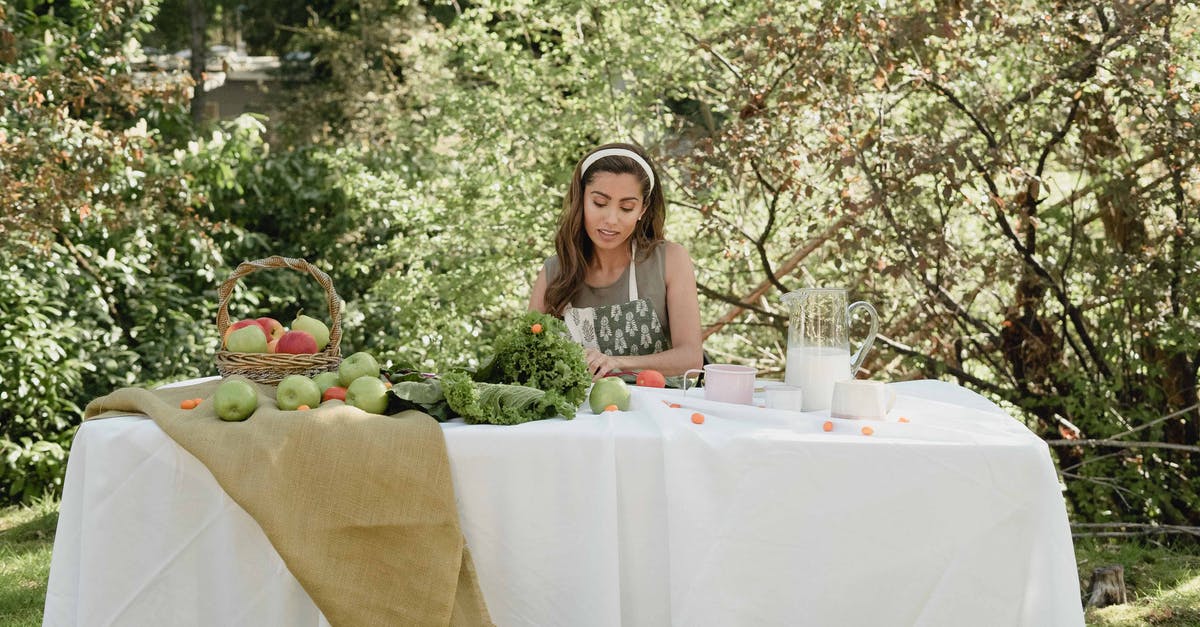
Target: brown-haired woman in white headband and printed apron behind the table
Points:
(628, 296)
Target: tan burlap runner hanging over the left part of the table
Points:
(361, 507)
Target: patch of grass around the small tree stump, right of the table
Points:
(1162, 578)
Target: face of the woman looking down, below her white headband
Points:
(613, 205)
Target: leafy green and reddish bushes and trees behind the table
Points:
(1013, 186)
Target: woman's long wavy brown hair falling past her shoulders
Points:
(573, 244)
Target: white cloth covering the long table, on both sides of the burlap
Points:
(755, 517)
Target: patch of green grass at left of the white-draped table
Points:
(27, 536)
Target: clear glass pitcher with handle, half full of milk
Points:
(819, 343)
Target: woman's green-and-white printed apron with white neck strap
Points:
(625, 330)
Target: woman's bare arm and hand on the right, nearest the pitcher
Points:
(683, 308)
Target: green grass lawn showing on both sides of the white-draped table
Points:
(1163, 580)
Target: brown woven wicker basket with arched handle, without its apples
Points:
(272, 368)
